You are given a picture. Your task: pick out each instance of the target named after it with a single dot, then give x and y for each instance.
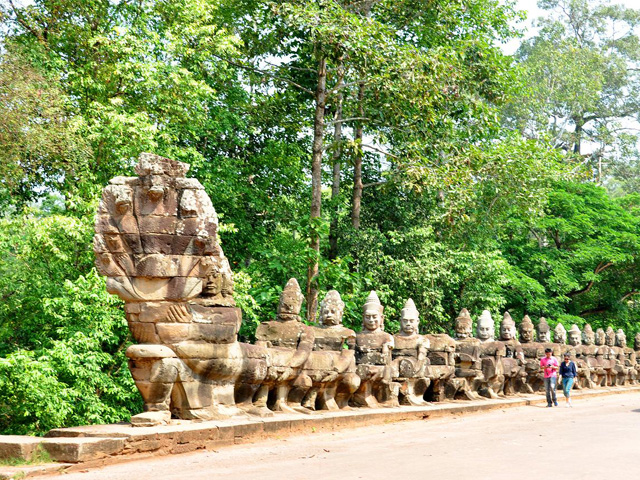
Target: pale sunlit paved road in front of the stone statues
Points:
(599, 438)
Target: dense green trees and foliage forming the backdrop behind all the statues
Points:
(459, 209)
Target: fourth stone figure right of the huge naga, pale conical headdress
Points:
(410, 357)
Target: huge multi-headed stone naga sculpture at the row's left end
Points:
(156, 242)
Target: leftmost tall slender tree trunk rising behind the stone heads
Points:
(316, 188)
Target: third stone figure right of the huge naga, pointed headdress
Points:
(373, 357)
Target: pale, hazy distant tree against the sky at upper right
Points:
(581, 83)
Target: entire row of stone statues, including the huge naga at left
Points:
(156, 242)
